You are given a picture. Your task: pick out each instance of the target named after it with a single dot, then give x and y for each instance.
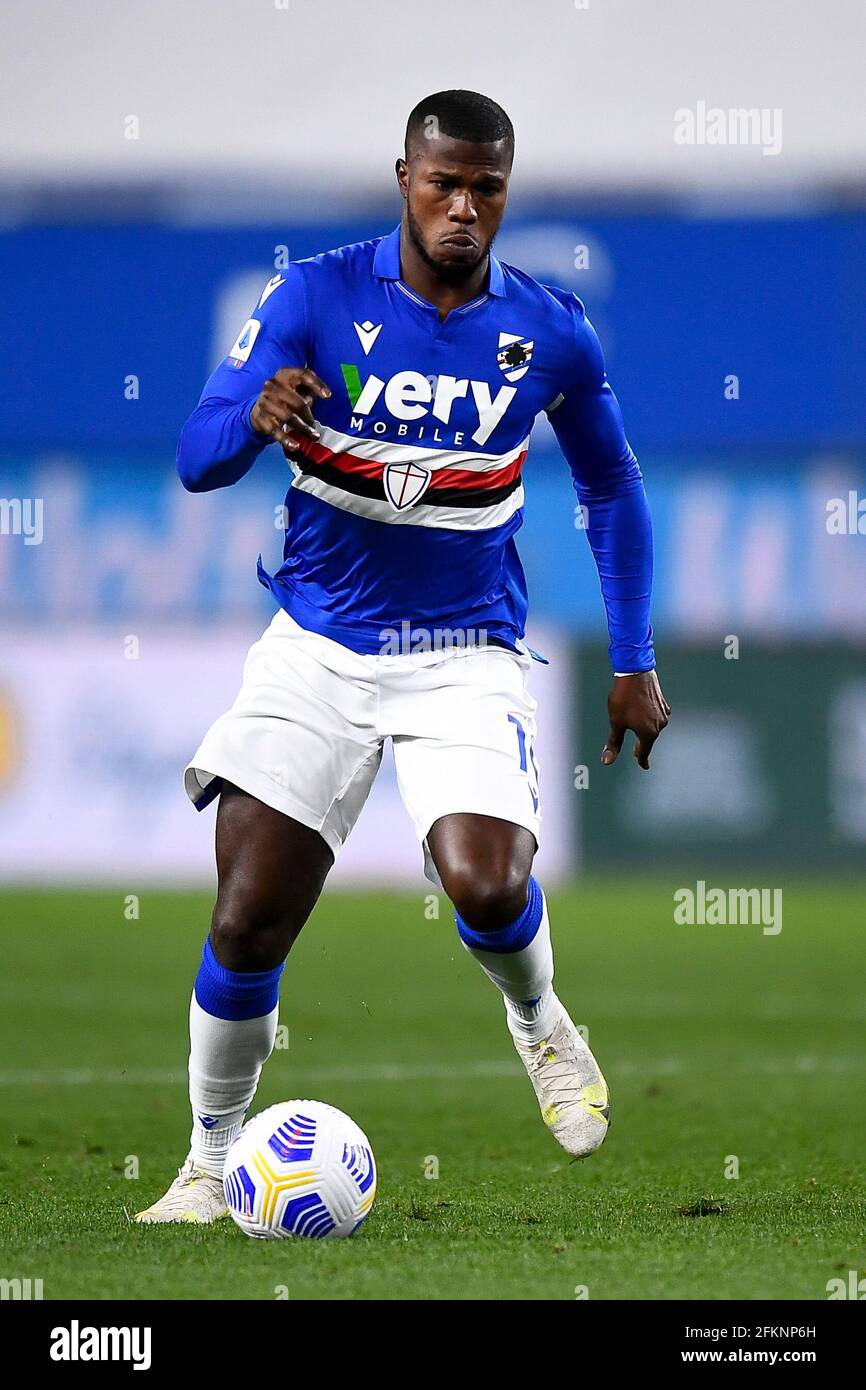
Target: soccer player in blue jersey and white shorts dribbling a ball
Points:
(401, 377)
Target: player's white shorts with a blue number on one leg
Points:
(307, 733)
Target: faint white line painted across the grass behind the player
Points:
(647, 1067)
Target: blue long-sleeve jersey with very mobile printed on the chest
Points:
(407, 509)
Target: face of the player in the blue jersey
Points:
(455, 199)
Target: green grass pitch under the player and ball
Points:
(719, 1045)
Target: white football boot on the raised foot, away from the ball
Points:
(569, 1085)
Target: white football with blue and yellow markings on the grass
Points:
(301, 1168)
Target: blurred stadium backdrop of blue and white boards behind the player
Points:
(149, 180)
